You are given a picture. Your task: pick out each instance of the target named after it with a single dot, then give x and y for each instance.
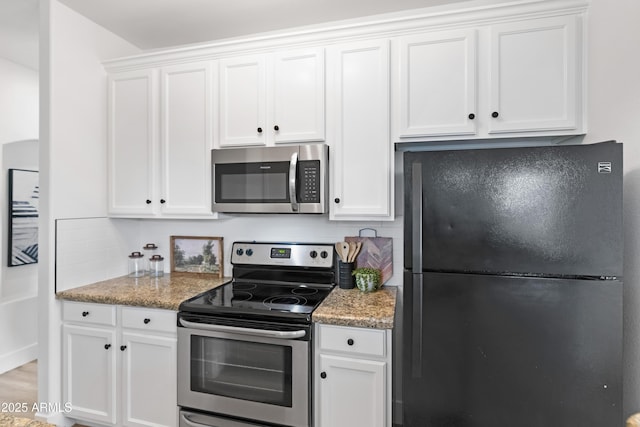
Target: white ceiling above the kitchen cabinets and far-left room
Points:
(154, 24)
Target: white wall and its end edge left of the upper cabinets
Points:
(72, 152)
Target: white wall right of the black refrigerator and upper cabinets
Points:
(614, 113)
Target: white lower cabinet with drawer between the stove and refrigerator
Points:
(352, 377)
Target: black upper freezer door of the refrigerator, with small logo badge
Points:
(542, 210)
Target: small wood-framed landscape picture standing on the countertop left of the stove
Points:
(198, 255)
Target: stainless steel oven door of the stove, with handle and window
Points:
(252, 370)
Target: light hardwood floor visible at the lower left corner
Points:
(19, 387)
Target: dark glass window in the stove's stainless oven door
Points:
(241, 370)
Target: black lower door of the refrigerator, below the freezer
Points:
(504, 351)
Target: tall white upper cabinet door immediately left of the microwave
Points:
(186, 117)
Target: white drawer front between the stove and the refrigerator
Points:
(360, 341)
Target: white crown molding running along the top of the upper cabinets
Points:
(388, 25)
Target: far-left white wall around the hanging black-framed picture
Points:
(18, 285)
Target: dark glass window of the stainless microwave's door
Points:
(252, 182)
